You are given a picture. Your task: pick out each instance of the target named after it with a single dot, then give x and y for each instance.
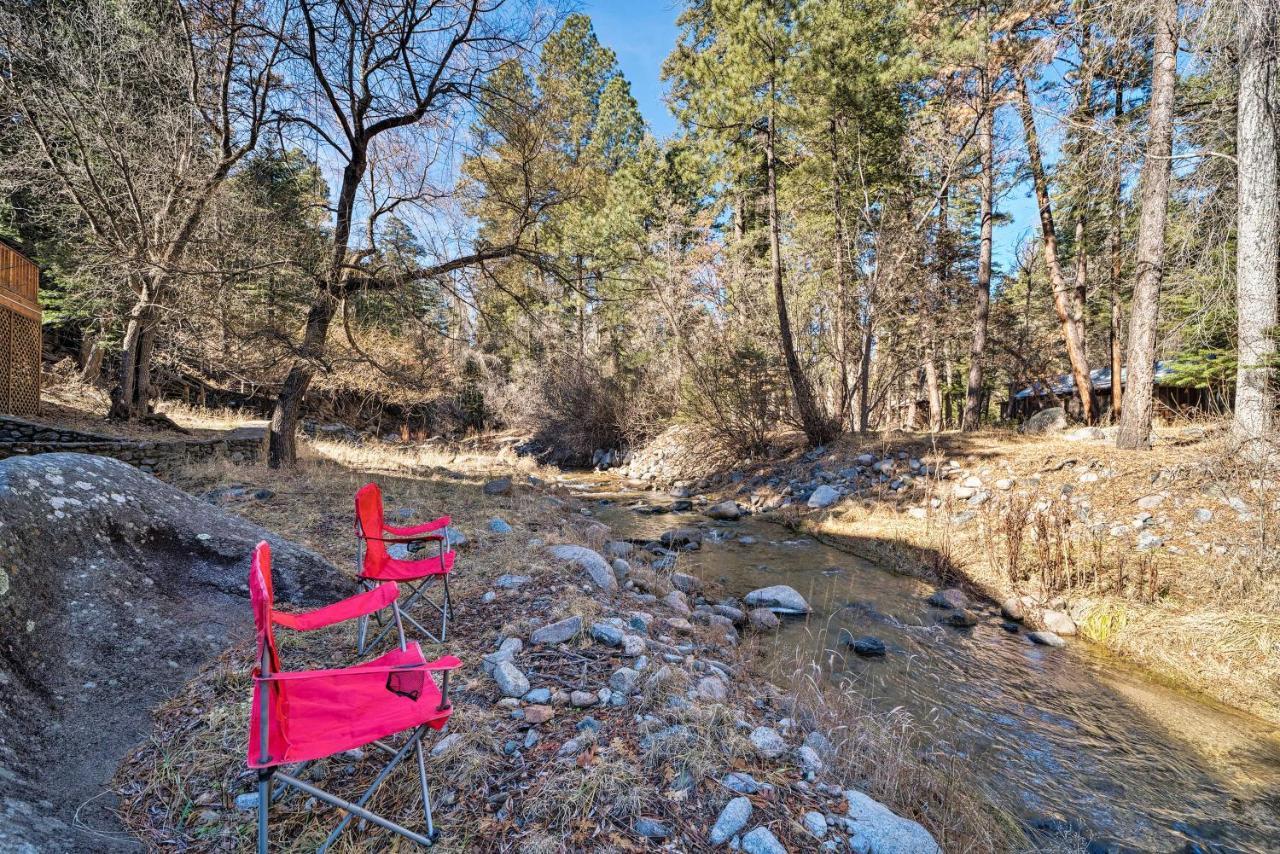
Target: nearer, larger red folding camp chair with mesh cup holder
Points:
(303, 716)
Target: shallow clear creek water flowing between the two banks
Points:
(1050, 733)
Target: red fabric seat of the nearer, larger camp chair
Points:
(318, 714)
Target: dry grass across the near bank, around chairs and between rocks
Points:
(179, 789)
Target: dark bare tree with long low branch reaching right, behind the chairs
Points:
(368, 71)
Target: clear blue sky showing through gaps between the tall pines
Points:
(642, 34)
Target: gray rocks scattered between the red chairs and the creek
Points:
(644, 670)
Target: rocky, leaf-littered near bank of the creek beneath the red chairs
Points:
(587, 711)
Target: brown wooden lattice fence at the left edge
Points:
(20, 334)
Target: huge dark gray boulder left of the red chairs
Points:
(115, 590)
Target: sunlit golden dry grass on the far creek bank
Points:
(1203, 615)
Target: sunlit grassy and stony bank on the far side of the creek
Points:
(1144, 531)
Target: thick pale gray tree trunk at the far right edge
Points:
(1258, 246)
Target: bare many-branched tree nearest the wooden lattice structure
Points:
(132, 116)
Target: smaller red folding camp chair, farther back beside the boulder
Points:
(374, 564)
